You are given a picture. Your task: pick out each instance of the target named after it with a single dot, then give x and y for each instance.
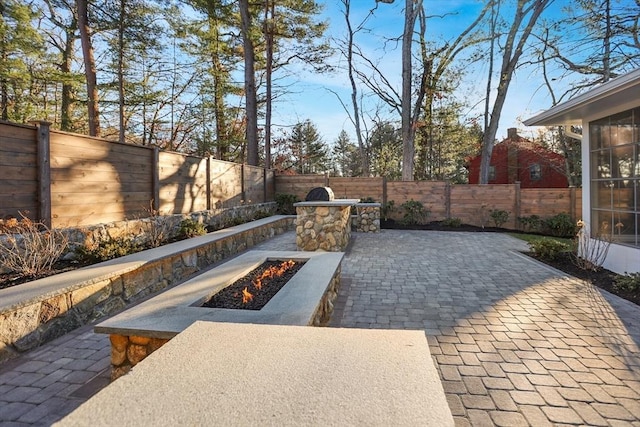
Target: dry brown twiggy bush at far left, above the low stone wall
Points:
(30, 248)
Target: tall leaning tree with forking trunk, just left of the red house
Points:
(526, 14)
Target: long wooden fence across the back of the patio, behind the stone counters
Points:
(471, 203)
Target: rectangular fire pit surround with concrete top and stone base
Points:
(305, 300)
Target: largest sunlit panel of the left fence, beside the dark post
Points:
(96, 181)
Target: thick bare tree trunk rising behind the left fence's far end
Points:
(249, 85)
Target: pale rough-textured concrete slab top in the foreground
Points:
(243, 374)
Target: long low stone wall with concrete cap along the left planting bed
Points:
(37, 312)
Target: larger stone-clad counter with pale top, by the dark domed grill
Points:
(324, 225)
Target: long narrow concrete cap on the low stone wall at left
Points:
(28, 293)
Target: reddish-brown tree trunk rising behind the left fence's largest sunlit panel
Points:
(89, 68)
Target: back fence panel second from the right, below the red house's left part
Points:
(473, 203)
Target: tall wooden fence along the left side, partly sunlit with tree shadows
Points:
(65, 179)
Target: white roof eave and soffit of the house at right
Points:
(619, 91)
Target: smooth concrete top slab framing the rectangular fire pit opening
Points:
(172, 311)
